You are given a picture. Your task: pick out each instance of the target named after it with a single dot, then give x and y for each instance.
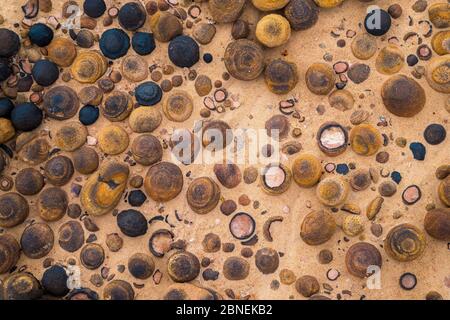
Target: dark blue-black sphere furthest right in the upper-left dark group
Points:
(184, 52)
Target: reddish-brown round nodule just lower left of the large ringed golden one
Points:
(362, 258)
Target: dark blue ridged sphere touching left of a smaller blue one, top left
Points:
(114, 43)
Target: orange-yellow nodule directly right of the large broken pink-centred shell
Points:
(365, 139)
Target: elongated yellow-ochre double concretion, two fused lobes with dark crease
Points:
(103, 190)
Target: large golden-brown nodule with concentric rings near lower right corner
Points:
(404, 242)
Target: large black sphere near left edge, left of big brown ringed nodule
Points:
(26, 116)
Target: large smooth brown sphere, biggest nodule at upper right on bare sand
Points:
(403, 96)
